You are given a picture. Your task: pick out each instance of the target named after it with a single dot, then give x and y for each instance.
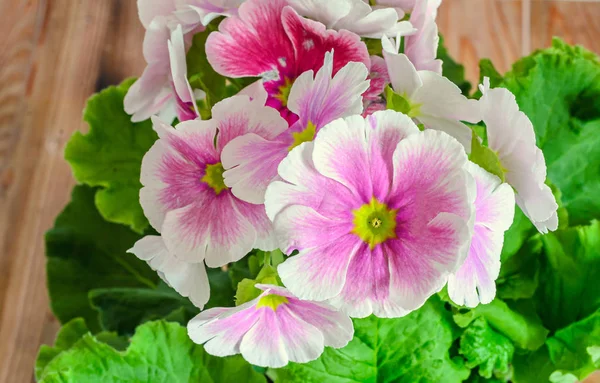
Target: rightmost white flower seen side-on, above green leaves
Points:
(510, 134)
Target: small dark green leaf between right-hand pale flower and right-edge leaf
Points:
(519, 273)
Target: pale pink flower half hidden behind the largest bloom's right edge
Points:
(474, 282)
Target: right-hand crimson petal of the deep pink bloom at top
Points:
(311, 40)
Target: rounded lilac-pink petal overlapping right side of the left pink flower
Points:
(251, 164)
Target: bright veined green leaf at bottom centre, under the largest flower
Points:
(411, 349)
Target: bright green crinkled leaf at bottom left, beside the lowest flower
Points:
(158, 352)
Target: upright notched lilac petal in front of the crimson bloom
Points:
(325, 99)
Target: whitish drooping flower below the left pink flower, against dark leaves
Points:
(188, 279)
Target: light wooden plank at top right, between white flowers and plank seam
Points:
(476, 29)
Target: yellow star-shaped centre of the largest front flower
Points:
(374, 222)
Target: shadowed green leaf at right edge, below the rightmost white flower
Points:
(570, 270)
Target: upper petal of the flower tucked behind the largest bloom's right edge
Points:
(494, 202)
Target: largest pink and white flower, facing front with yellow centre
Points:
(380, 212)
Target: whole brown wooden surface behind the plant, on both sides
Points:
(56, 53)
